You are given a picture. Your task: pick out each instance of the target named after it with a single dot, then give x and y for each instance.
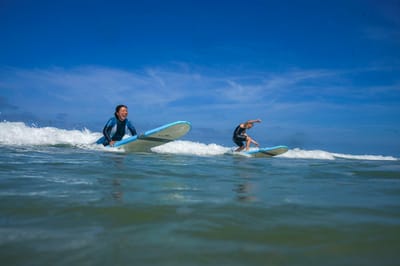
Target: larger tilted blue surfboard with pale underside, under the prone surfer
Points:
(154, 137)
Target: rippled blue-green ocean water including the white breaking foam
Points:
(66, 201)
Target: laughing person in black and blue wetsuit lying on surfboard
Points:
(117, 126)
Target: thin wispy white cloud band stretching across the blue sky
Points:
(94, 91)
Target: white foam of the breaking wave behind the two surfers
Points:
(19, 134)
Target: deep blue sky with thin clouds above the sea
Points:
(320, 74)
